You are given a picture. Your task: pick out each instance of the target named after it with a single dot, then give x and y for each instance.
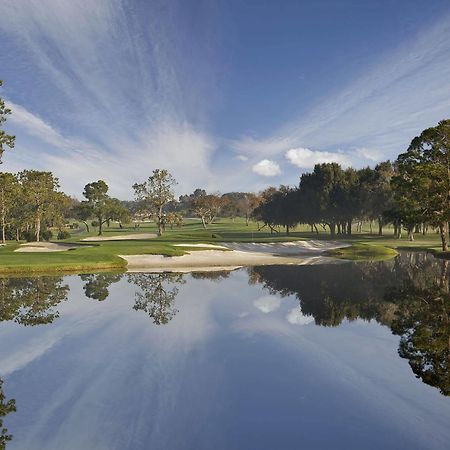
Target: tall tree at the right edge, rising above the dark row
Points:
(422, 183)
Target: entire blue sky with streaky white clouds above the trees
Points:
(227, 95)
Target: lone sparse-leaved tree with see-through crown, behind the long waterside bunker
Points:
(154, 194)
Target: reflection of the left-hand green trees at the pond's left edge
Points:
(31, 301)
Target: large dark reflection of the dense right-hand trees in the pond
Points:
(409, 294)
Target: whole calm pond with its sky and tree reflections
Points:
(342, 356)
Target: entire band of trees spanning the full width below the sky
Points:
(412, 193)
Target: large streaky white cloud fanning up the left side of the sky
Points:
(115, 87)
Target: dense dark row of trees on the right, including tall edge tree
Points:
(411, 193)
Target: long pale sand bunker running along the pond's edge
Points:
(308, 252)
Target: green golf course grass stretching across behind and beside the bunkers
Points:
(104, 255)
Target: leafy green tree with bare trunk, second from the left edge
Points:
(40, 194)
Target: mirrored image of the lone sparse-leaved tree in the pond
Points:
(157, 295)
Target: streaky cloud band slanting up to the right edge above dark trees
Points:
(401, 93)
